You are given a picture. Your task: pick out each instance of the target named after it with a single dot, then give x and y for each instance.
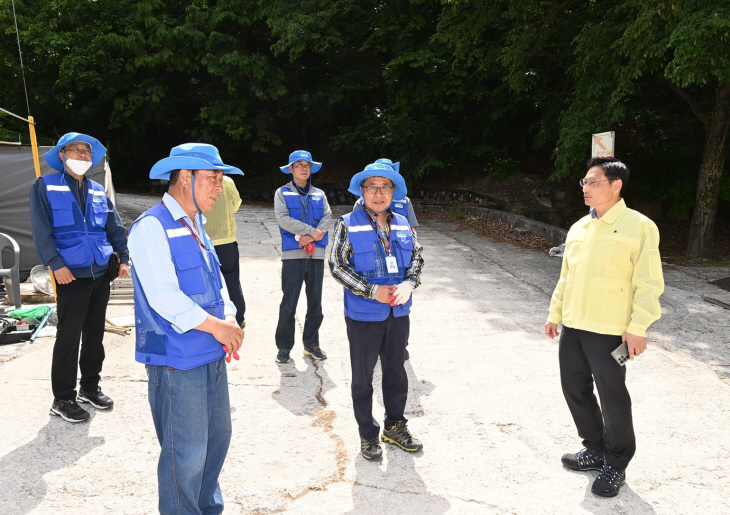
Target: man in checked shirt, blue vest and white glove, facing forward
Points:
(377, 259)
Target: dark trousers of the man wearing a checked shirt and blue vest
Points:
(368, 341)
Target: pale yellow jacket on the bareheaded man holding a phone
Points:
(612, 277)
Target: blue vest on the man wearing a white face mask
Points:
(79, 237)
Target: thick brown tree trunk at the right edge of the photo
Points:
(702, 230)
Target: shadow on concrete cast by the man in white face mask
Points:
(57, 446)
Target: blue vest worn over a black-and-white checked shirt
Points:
(366, 246)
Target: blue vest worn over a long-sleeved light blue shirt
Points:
(157, 341)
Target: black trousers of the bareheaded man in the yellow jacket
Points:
(585, 357)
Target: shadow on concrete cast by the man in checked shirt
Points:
(397, 489)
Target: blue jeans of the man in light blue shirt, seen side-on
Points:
(192, 417)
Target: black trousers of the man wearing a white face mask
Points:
(81, 312)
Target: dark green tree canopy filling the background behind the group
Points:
(442, 86)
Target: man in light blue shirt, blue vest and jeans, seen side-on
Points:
(186, 324)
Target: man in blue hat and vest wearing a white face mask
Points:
(76, 228)
